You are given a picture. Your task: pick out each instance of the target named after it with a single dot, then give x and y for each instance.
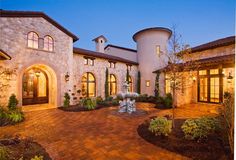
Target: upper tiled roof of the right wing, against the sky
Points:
(214, 44)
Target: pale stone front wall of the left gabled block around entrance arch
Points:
(14, 41)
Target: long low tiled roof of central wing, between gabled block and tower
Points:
(102, 55)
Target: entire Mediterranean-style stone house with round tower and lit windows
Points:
(39, 64)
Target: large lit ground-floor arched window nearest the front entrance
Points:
(88, 85)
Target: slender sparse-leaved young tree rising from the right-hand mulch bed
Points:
(177, 65)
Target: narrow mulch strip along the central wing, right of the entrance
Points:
(77, 108)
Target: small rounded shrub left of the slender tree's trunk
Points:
(160, 126)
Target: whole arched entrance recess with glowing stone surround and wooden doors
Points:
(39, 85)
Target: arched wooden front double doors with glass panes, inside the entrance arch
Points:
(35, 87)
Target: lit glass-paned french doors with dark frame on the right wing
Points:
(210, 87)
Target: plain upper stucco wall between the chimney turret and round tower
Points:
(132, 56)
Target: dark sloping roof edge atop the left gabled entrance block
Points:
(7, 13)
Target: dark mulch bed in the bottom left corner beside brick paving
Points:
(26, 148)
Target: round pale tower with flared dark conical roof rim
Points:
(151, 49)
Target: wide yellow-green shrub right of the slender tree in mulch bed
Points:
(200, 128)
